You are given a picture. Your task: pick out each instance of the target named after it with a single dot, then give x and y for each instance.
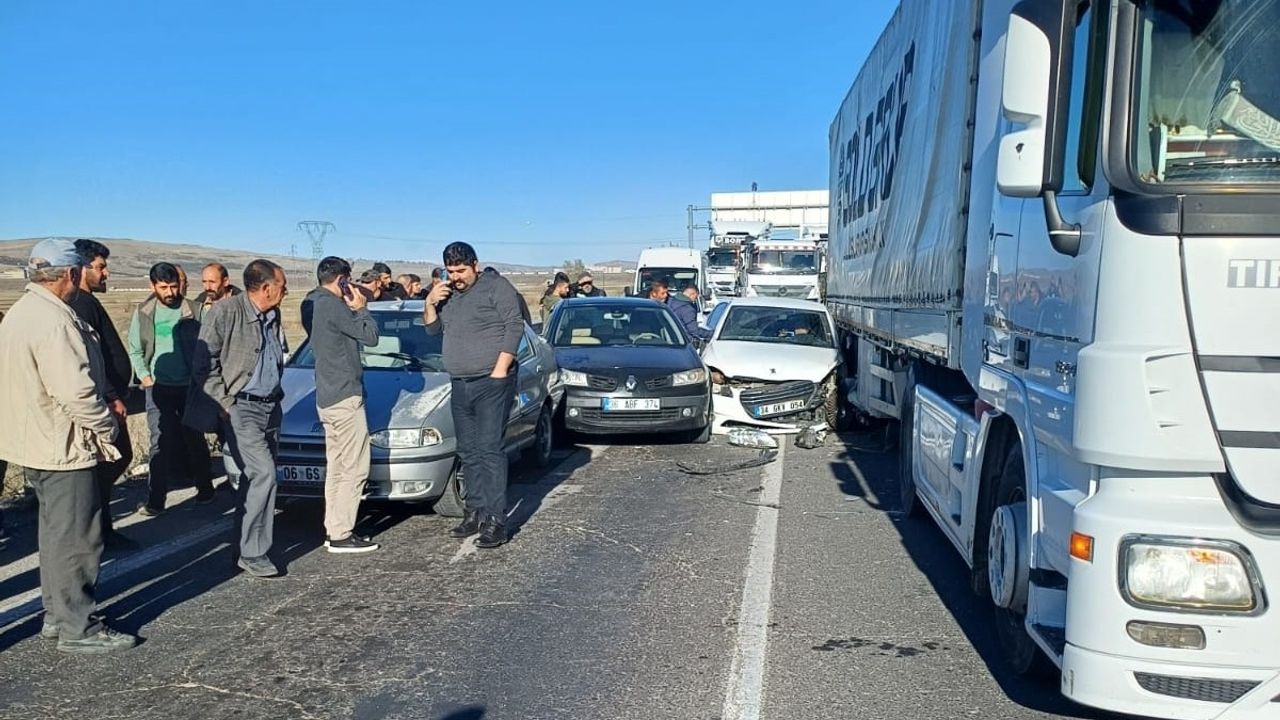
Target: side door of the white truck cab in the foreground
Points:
(1054, 299)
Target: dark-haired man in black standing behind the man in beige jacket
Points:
(118, 373)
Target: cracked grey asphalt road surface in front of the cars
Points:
(621, 598)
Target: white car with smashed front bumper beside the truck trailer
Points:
(774, 364)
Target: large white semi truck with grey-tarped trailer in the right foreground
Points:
(1055, 259)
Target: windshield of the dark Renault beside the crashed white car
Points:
(604, 326)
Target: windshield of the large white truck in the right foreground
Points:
(1209, 93)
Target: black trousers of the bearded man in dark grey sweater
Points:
(481, 409)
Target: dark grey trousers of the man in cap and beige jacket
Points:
(71, 548)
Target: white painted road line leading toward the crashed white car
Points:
(744, 698)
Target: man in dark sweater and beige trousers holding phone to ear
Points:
(337, 325)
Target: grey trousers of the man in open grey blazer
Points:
(255, 441)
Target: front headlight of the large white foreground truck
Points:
(1185, 575)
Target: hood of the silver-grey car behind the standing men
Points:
(394, 399)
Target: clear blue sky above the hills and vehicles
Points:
(537, 131)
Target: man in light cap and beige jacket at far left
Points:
(52, 368)
